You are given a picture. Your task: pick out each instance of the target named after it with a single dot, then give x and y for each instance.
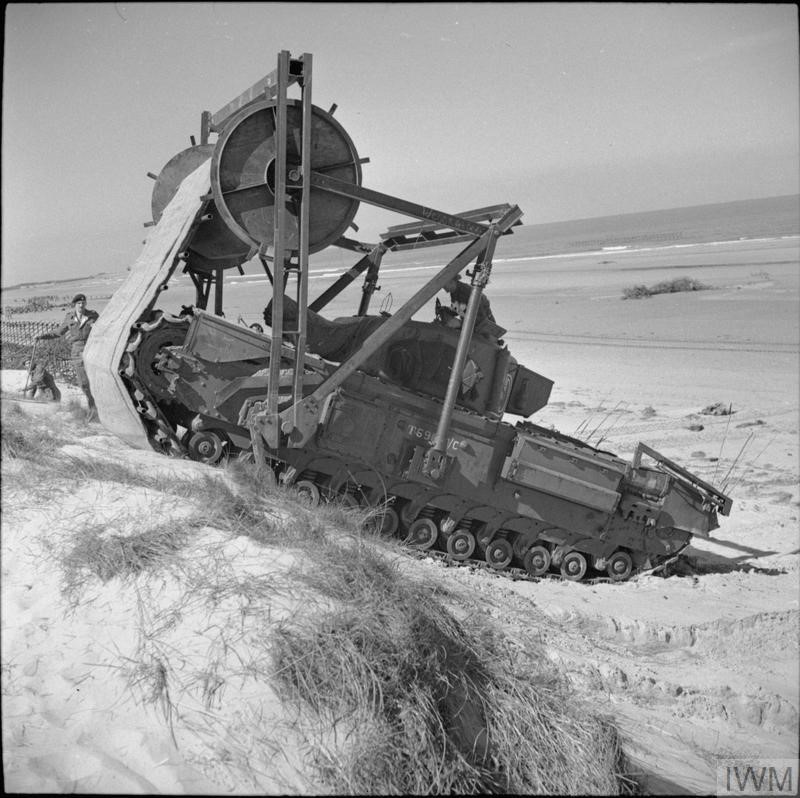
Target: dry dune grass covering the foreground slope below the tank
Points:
(389, 691)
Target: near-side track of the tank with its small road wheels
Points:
(412, 512)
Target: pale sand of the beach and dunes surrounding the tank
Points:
(694, 668)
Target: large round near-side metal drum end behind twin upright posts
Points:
(243, 176)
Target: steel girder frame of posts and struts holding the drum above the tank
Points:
(294, 425)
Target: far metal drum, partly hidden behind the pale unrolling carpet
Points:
(214, 245)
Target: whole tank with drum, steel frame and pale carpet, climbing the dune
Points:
(426, 424)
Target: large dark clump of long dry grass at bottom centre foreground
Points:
(423, 702)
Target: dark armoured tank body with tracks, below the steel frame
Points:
(512, 495)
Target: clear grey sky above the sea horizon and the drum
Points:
(568, 110)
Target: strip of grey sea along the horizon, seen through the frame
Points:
(769, 218)
